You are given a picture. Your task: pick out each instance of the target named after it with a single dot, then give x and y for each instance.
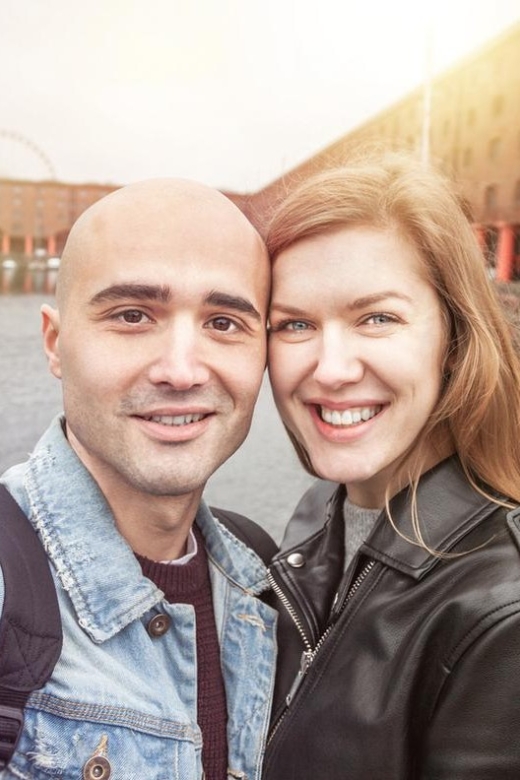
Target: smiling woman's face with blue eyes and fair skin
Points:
(355, 356)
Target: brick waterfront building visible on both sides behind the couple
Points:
(474, 135)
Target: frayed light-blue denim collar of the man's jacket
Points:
(94, 563)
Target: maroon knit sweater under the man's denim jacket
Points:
(190, 584)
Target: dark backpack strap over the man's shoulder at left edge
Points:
(30, 624)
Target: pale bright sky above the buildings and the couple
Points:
(229, 92)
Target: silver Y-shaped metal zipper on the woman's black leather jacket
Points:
(309, 654)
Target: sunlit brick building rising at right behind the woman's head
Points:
(474, 135)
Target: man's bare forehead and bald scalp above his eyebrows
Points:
(158, 226)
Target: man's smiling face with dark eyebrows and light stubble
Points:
(160, 346)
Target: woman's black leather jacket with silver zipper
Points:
(411, 661)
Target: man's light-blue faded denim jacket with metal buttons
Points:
(121, 702)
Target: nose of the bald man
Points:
(180, 357)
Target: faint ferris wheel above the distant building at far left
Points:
(22, 158)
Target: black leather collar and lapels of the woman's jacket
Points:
(315, 579)
